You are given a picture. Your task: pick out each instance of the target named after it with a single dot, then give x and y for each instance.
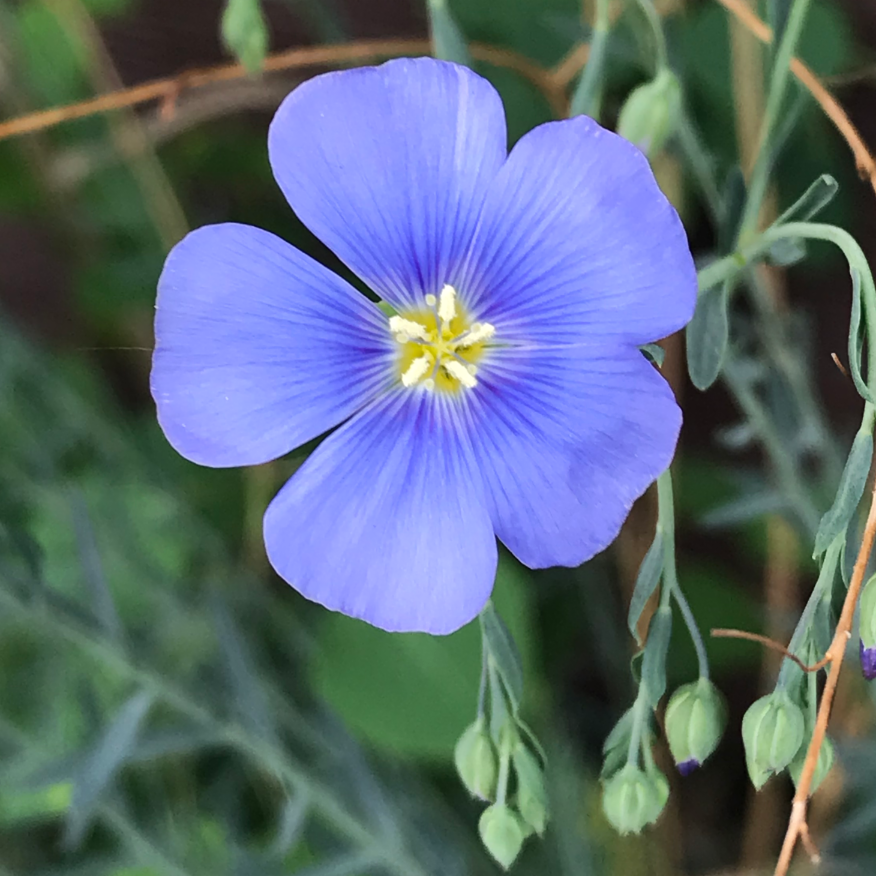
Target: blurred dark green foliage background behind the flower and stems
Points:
(167, 705)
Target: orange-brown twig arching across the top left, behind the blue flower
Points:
(167, 90)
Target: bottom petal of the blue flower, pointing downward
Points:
(387, 522)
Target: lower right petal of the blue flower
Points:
(567, 439)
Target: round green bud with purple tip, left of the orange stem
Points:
(695, 720)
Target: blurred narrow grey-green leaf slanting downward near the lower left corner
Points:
(102, 765)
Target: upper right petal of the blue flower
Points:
(577, 243)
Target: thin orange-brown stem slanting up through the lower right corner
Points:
(797, 826)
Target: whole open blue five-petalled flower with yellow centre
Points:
(506, 398)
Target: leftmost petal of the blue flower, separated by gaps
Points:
(258, 348)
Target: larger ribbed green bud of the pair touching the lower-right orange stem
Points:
(772, 731)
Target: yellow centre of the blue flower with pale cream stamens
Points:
(439, 347)
